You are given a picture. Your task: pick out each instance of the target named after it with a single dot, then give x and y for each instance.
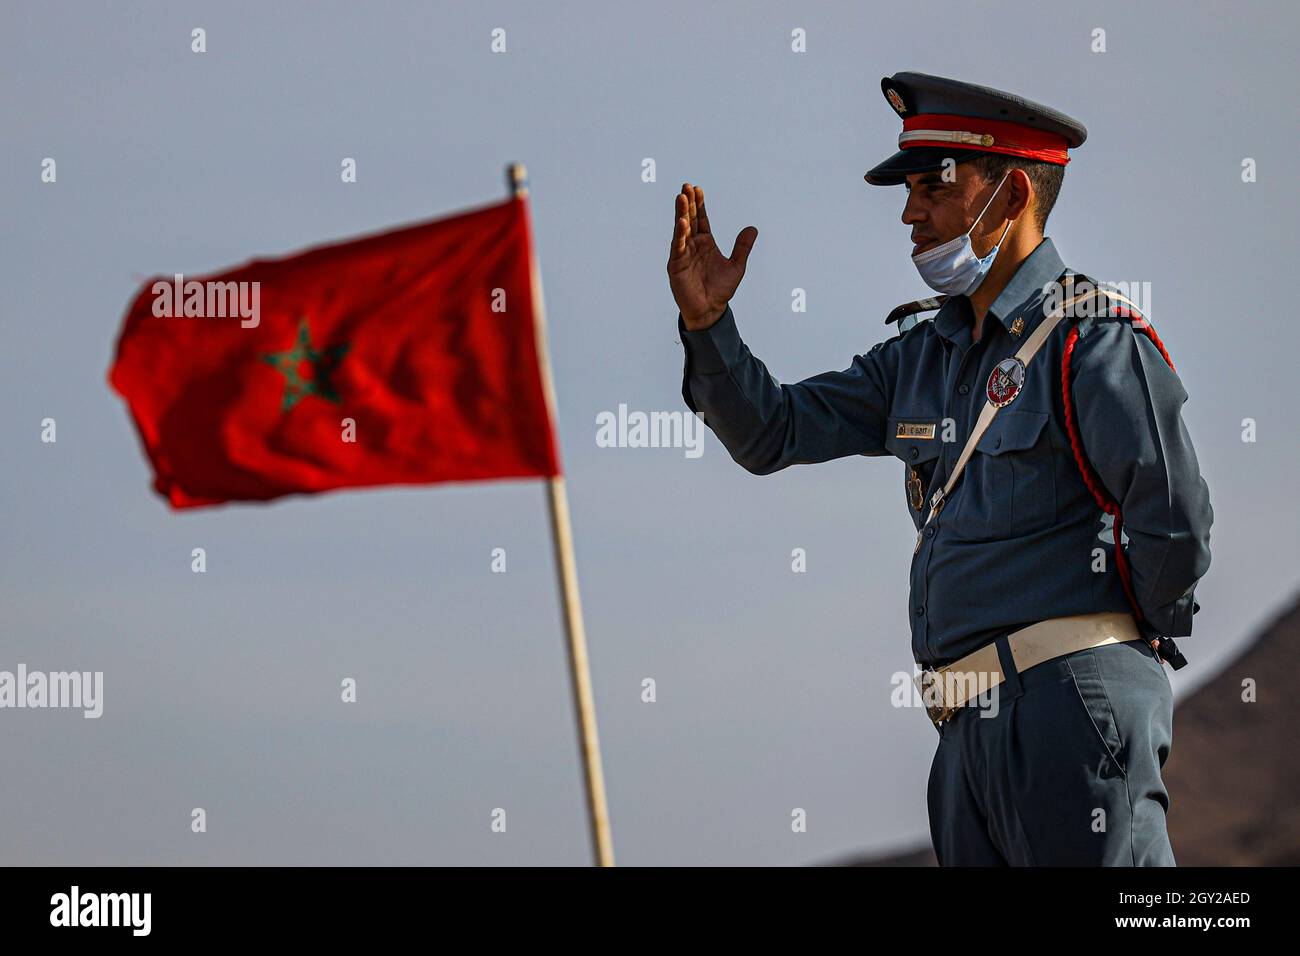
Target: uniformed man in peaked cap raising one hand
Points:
(1013, 579)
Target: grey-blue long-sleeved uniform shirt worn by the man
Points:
(1019, 540)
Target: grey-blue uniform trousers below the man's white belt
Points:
(1067, 775)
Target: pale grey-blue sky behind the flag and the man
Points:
(223, 690)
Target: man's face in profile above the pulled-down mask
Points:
(939, 211)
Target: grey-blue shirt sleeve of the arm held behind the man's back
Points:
(1129, 404)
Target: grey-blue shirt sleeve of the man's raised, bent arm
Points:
(768, 426)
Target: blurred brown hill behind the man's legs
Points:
(1233, 773)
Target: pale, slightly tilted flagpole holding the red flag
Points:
(562, 537)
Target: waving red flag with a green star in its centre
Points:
(409, 357)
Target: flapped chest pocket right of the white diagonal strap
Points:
(1012, 479)
